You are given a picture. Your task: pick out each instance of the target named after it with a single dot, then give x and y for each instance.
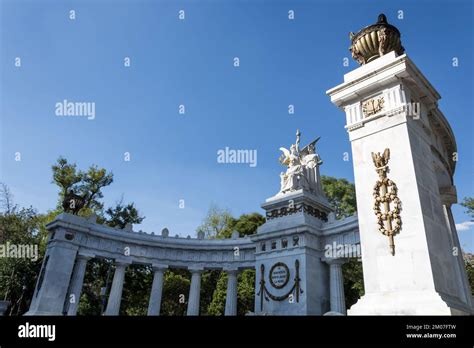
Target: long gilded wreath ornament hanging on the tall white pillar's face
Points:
(387, 205)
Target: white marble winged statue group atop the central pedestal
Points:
(301, 164)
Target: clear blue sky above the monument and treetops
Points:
(190, 62)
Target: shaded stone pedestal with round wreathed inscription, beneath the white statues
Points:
(291, 278)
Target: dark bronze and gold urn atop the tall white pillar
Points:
(375, 40)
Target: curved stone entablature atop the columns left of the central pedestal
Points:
(95, 240)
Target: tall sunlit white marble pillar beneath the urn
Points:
(389, 104)
